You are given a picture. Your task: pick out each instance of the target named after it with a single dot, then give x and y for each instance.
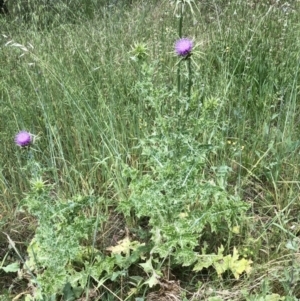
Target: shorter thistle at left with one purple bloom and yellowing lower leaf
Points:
(62, 257)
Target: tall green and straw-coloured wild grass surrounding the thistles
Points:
(70, 80)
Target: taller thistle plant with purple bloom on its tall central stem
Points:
(181, 198)
